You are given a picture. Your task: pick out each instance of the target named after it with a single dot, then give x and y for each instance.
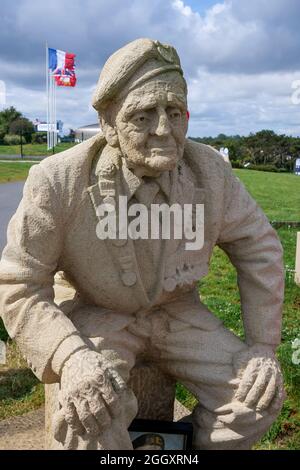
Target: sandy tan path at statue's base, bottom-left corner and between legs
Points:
(26, 432)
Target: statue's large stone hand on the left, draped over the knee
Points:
(90, 389)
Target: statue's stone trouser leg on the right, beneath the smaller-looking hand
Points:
(202, 360)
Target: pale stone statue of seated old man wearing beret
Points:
(136, 296)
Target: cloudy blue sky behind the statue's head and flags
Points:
(240, 57)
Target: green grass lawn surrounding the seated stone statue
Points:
(278, 195)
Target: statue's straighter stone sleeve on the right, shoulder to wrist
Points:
(255, 250)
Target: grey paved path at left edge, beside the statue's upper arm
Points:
(10, 196)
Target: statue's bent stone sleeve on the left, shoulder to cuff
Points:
(27, 268)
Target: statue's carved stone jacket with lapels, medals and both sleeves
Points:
(54, 229)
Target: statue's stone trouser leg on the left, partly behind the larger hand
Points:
(106, 332)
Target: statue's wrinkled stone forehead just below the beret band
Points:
(163, 90)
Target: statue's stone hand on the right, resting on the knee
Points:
(261, 383)
